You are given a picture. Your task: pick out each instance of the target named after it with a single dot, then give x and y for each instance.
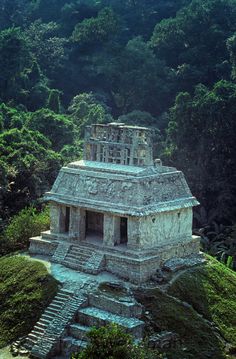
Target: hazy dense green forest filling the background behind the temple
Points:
(167, 64)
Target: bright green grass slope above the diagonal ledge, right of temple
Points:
(211, 290)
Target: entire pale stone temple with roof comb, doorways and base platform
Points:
(118, 210)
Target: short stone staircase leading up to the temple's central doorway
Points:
(84, 259)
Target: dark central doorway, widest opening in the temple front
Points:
(94, 224)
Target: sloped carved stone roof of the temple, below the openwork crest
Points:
(119, 189)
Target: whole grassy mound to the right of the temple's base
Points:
(200, 306)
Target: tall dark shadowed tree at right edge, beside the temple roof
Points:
(201, 141)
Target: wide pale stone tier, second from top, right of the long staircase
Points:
(92, 316)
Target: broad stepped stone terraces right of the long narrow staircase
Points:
(102, 309)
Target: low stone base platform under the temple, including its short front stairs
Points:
(92, 257)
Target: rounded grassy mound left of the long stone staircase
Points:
(26, 288)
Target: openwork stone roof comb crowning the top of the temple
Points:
(117, 143)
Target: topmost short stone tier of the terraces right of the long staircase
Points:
(124, 306)
